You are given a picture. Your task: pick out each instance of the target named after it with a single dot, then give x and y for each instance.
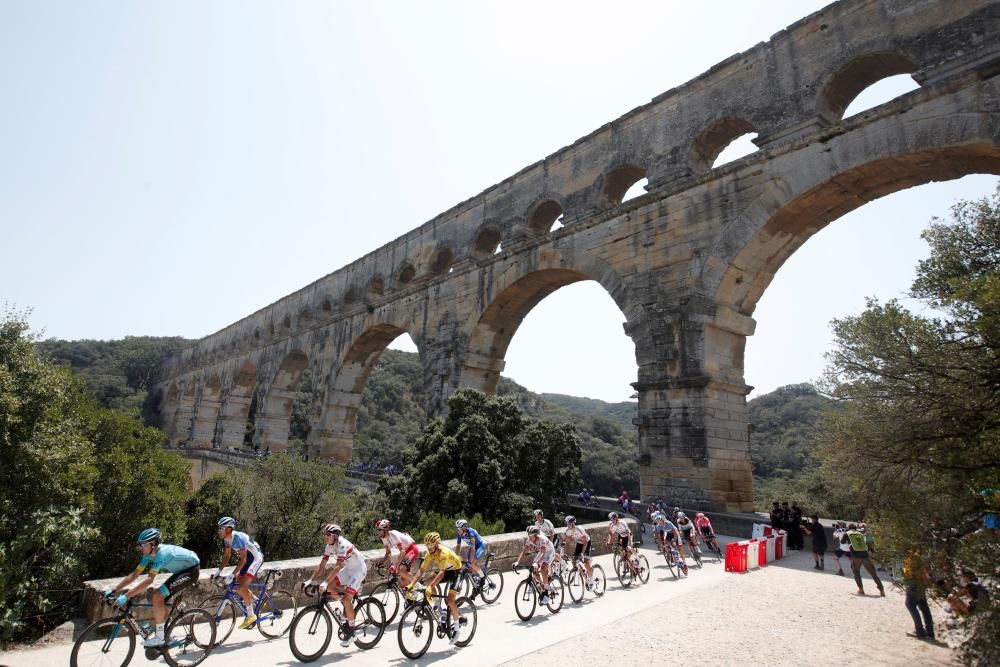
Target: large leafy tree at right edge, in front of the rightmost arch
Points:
(919, 440)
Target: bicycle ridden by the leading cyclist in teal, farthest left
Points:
(189, 636)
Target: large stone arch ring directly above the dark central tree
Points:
(497, 316)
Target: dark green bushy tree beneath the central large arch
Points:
(486, 457)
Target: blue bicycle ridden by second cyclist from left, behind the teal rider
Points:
(274, 609)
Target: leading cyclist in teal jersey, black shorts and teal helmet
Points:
(182, 564)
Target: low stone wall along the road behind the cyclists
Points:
(504, 547)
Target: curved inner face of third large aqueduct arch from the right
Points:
(334, 435)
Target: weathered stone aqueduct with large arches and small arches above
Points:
(686, 262)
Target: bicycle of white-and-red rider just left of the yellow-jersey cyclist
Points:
(312, 628)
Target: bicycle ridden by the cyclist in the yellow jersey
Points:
(423, 620)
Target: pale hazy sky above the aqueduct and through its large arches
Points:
(167, 168)
